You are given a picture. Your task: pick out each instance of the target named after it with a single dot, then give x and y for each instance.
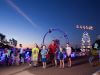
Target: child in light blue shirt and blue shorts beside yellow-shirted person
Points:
(44, 52)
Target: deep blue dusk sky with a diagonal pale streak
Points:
(28, 20)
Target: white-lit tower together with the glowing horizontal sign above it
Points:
(86, 41)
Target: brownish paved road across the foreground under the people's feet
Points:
(79, 67)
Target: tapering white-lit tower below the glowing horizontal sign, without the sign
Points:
(86, 41)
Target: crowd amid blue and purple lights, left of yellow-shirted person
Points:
(14, 56)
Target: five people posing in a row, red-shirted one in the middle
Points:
(59, 56)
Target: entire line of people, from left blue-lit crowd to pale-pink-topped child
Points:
(55, 54)
